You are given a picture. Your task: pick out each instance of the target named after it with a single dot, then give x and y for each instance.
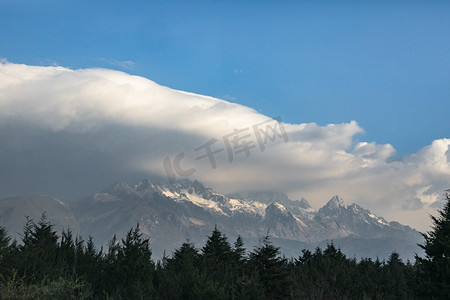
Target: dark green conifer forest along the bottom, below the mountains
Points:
(46, 265)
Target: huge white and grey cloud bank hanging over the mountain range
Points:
(72, 132)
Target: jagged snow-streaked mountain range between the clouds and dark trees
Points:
(171, 213)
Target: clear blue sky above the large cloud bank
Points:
(385, 65)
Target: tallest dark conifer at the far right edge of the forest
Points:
(434, 269)
